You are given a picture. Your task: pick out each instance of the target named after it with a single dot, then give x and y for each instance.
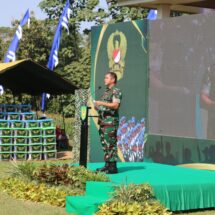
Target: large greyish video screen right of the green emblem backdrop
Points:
(182, 76)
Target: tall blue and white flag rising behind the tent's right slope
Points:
(53, 58)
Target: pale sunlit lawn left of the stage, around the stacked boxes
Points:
(10, 206)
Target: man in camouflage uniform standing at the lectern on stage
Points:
(108, 109)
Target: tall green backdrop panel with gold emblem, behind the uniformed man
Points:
(129, 41)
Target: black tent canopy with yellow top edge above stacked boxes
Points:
(27, 76)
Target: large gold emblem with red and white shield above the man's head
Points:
(117, 48)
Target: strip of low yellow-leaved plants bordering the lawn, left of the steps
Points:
(35, 192)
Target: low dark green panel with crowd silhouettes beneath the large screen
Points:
(179, 150)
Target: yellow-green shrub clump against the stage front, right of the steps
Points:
(133, 200)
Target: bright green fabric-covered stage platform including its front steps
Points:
(178, 188)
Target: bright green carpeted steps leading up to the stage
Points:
(96, 194)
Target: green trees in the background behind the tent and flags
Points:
(74, 52)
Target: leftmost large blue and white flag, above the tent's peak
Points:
(11, 53)
